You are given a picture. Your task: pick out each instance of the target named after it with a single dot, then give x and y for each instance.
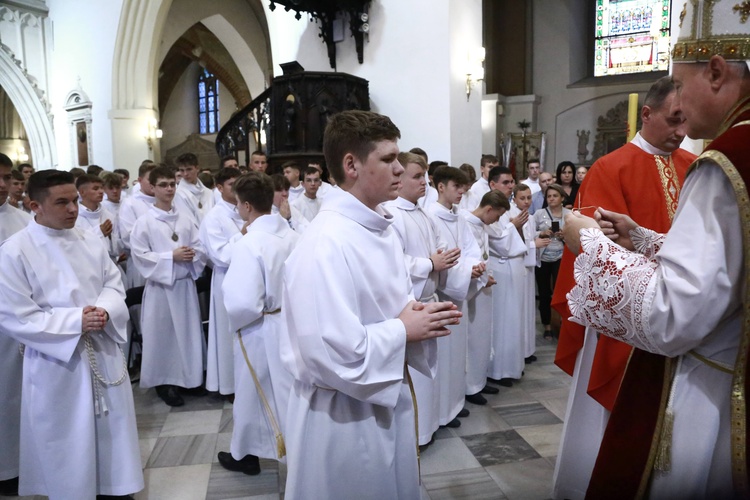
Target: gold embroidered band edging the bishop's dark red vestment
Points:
(738, 398)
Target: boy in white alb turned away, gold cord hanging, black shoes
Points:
(252, 294)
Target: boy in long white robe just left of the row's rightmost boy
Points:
(507, 251)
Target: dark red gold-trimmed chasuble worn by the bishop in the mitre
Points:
(625, 462)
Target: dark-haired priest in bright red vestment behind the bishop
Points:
(641, 179)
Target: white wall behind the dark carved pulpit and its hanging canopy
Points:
(409, 61)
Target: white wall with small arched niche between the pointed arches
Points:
(84, 41)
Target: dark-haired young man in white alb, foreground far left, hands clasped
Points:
(62, 297)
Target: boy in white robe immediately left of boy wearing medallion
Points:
(133, 207)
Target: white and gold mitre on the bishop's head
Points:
(713, 27)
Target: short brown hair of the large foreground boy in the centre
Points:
(354, 132)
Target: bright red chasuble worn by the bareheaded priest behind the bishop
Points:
(645, 187)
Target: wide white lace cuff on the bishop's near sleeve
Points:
(614, 290)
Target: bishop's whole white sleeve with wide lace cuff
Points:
(670, 303)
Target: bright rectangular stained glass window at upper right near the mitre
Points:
(631, 36)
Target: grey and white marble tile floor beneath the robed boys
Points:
(505, 449)
